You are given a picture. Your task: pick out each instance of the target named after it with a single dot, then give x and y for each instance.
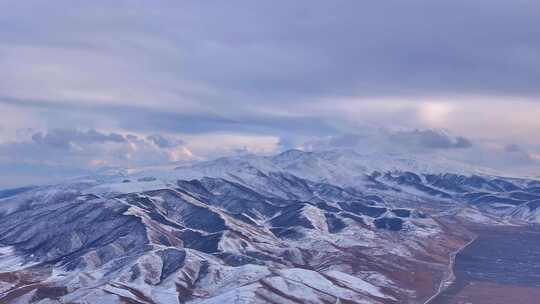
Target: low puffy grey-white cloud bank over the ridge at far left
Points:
(82, 150)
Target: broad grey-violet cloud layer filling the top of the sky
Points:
(167, 57)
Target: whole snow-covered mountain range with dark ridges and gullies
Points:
(298, 227)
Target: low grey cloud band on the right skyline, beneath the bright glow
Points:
(509, 159)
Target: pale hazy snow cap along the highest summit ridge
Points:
(340, 167)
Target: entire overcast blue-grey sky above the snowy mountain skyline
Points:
(92, 84)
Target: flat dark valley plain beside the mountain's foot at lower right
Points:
(500, 266)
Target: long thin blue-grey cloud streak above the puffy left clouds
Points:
(150, 120)
